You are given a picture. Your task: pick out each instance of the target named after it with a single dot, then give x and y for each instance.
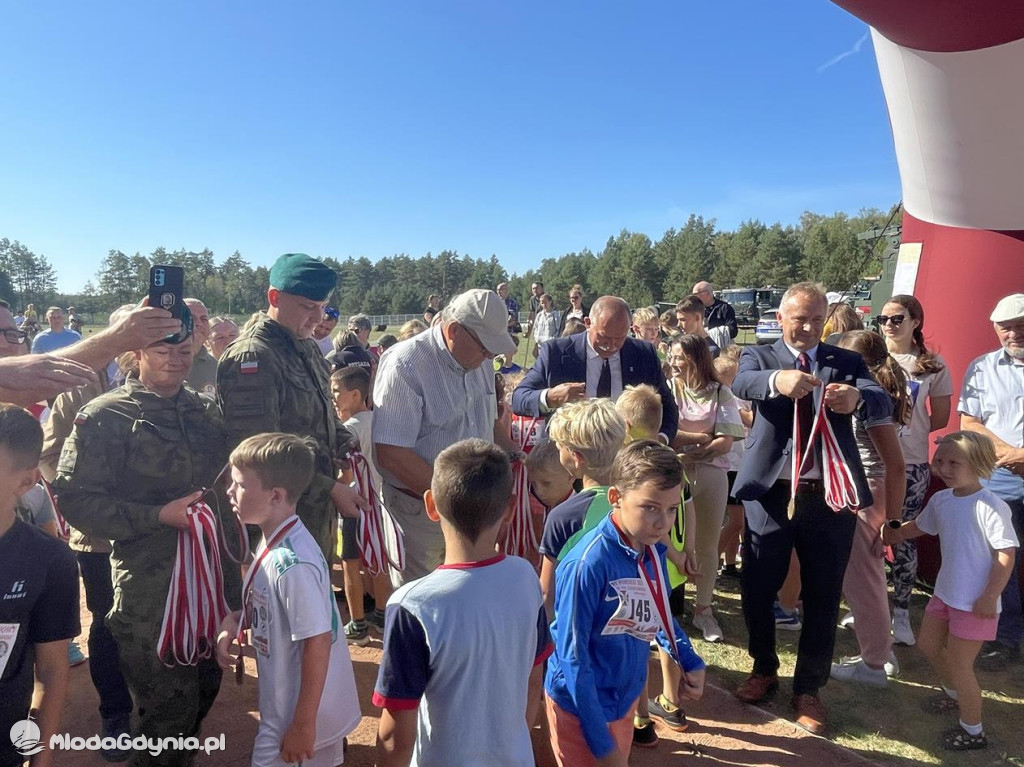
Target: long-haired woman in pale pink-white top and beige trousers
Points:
(709, 422)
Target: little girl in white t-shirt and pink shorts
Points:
(977, 541)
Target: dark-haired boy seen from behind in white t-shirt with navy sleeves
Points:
(460, 676)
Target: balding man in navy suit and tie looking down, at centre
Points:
(600, 363)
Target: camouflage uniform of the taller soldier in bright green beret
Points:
(269, 380)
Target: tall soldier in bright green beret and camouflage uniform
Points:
(275, 378)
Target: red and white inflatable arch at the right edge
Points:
(953, 72)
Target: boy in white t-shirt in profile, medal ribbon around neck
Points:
(308, 697)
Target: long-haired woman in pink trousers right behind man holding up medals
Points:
(865, 583)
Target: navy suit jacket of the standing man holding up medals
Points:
(771, 441)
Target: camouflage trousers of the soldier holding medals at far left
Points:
(170, 702)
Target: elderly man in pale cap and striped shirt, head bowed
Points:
(433, 392)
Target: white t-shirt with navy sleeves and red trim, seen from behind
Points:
(460, 646)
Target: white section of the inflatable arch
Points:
(958, 122)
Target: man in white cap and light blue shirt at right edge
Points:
(993, 404)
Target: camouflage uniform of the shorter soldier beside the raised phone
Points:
(132, 452)
